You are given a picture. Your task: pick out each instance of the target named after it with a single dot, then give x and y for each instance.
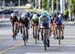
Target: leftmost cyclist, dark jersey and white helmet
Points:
(14, 21)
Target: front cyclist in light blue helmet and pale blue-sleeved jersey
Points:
(44, 22)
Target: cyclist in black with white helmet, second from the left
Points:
(24, 20)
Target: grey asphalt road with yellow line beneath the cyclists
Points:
(10, 46)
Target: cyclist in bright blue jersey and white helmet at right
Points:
(59, 22)
